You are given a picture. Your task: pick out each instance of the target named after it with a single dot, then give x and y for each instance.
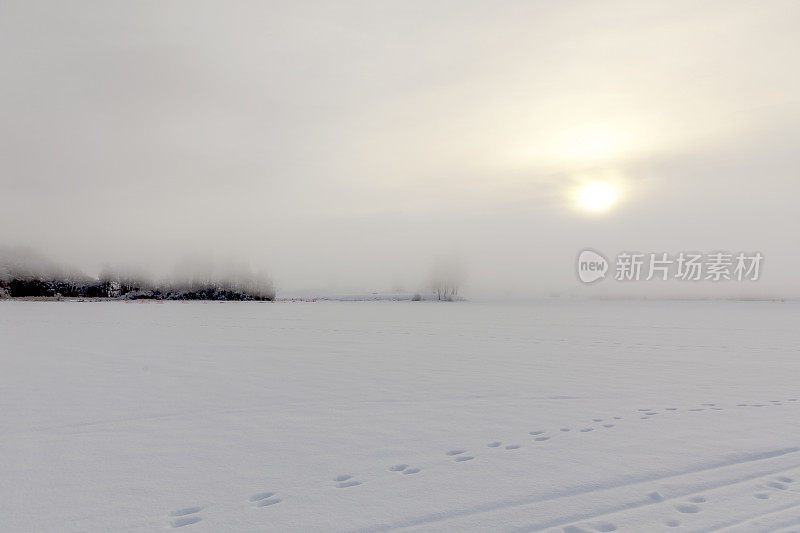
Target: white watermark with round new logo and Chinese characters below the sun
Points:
(662, 266)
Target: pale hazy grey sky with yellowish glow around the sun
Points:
(348, 145)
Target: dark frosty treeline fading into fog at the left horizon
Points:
(31, 276)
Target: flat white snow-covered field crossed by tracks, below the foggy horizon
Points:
(561, 416)
